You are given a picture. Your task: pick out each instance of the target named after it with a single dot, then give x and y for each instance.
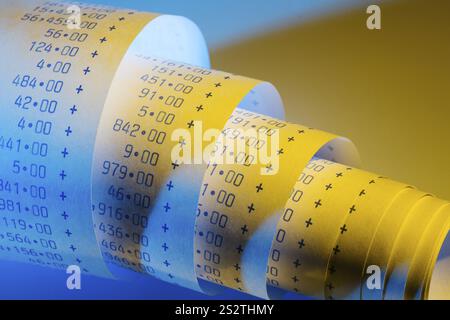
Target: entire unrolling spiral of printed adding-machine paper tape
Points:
(117, 158)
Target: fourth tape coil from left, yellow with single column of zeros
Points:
(313, 218)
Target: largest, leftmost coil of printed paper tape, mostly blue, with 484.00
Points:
(58, 63)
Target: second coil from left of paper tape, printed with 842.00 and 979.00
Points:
(168, 97)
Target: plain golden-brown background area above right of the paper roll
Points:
(387, 90)
